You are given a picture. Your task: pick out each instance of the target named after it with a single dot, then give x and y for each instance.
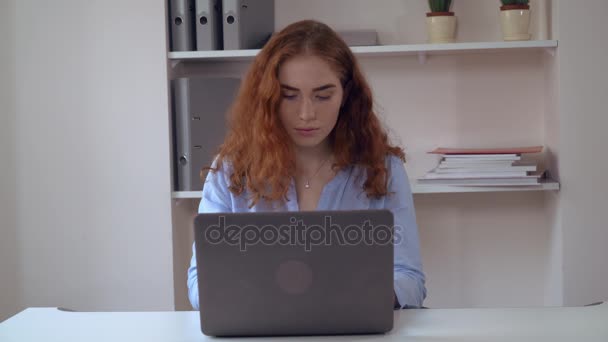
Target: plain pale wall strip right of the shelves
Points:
(583, 167)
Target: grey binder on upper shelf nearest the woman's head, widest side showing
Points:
(247, 24)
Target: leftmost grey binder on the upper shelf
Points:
(181, 25)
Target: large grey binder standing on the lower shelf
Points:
(199, 125)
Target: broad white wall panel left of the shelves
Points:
(92, 158)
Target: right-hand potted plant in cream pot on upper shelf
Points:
(515, 19)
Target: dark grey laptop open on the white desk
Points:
(295, 273)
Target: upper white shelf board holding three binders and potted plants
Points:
(379, 50)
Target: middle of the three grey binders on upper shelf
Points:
(209, 25)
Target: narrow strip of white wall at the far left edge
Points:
(9, 282)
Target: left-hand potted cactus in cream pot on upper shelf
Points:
(441, 23)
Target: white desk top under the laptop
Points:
(526, 324)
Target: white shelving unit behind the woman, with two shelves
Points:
(458, 231)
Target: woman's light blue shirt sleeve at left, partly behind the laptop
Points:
(215, 199)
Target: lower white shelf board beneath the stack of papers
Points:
(545, 185)
